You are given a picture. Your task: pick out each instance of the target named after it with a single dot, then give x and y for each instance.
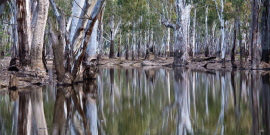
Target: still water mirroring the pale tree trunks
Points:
(143, 102)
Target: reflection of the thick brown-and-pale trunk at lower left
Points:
(31, 119)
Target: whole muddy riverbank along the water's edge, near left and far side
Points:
(203, 64)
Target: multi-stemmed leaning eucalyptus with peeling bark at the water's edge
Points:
(82, 34)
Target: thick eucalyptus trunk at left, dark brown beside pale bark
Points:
(31, 21)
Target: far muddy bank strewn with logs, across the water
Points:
(198, 63)
